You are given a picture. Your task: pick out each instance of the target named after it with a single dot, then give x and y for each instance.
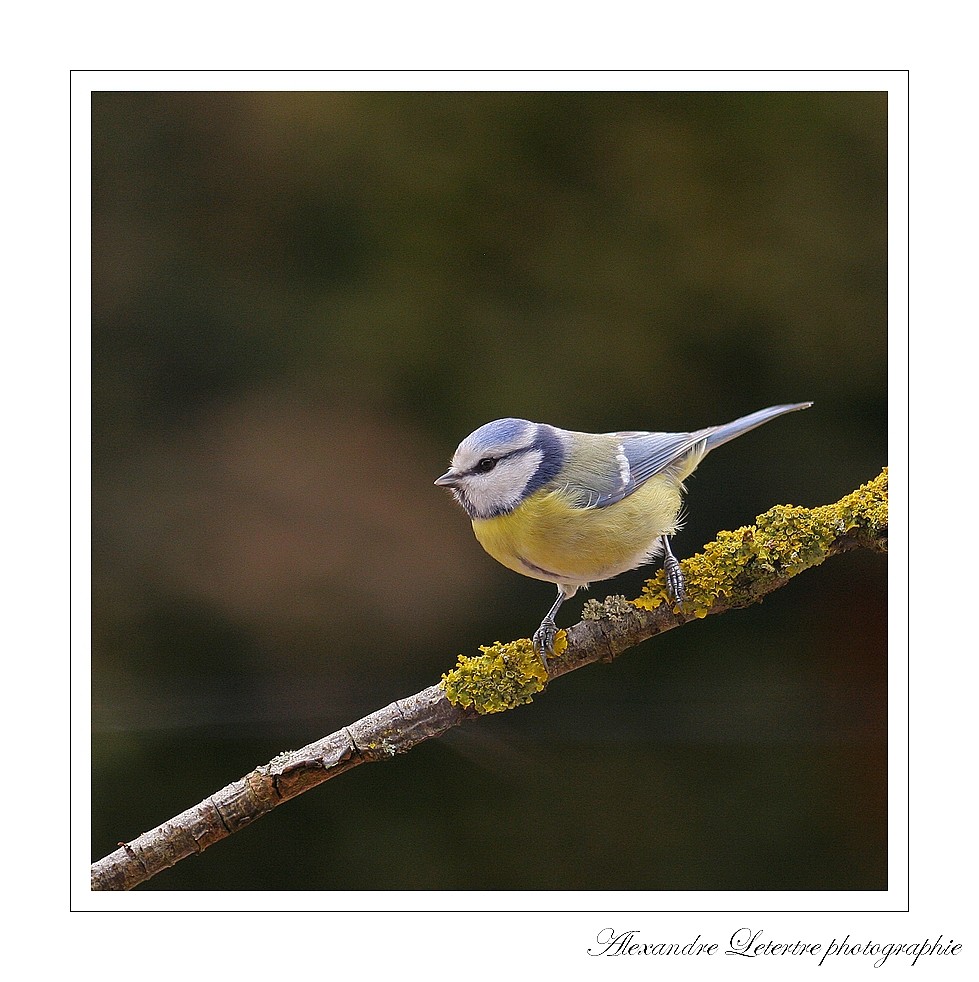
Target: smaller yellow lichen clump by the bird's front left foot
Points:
(502, 677)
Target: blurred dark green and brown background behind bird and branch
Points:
(302, 301)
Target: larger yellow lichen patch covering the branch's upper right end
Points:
(784, 541)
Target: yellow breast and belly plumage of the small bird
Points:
(547, 538)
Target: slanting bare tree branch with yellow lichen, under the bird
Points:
(735, 570)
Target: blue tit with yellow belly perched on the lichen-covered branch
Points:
(572, 508)
